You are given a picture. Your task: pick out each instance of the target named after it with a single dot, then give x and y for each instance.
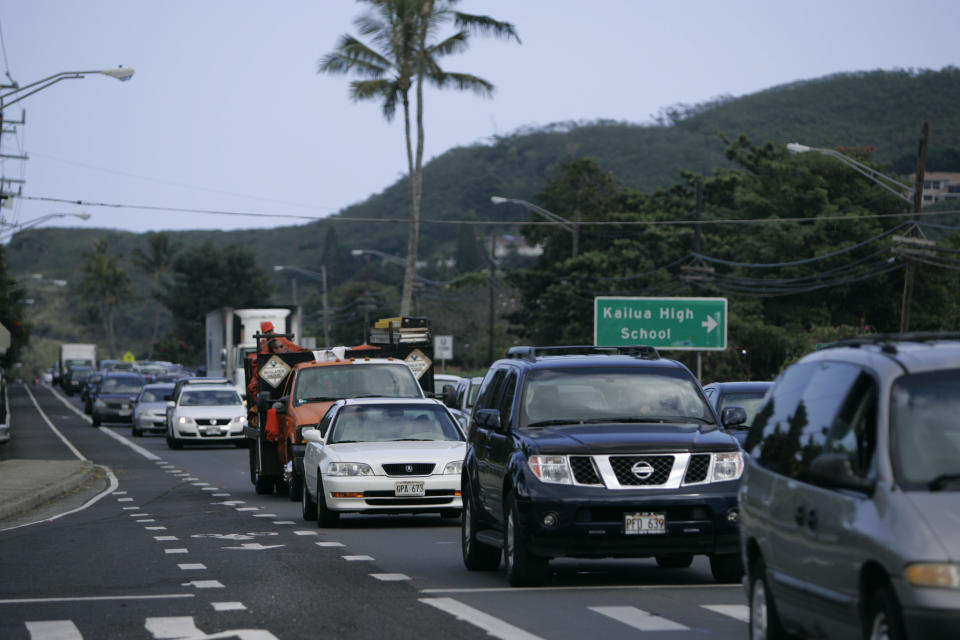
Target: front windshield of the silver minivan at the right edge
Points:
(925, 431)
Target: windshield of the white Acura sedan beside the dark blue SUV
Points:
(388, 423)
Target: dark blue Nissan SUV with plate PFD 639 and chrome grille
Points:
(593, 452)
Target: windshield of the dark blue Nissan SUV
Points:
(554, 396)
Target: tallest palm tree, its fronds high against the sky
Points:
(404, 54)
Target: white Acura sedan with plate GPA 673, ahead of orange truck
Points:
(383, 455)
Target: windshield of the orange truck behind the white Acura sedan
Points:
(339, 382)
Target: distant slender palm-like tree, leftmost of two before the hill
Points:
(104, 282)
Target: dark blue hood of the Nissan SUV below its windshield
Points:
(632, 438)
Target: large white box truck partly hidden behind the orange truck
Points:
(230, 337)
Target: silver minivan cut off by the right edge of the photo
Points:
(850, 502)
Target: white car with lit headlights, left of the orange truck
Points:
(206, 413)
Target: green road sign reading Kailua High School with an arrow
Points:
(690, 324)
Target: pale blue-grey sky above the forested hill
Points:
(226, 111)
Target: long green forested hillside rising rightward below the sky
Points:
(882, 110)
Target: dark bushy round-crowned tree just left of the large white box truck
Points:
(206, 278)
